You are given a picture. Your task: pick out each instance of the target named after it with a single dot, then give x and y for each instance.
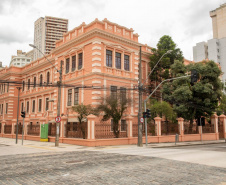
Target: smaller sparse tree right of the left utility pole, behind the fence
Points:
(83, 111)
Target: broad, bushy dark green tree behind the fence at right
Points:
(201, 99)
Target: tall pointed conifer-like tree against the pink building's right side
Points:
(162, 70)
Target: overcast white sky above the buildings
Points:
(187, 22)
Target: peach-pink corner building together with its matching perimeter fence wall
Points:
(98, 58)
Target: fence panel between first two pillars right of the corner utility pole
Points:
(169, 128)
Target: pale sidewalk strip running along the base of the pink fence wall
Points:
(37, 146)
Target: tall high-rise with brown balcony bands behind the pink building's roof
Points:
(46, 31)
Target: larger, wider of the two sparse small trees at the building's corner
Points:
(114, 106)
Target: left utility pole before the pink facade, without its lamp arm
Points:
(58, 104)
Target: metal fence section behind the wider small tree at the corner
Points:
(104, 130)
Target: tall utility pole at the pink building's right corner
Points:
(140, 136)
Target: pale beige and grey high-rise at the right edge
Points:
(214, 49)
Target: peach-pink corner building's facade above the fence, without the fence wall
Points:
(98, 59)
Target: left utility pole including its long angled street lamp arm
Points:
(59, 93)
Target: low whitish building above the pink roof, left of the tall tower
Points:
(21, 59)
